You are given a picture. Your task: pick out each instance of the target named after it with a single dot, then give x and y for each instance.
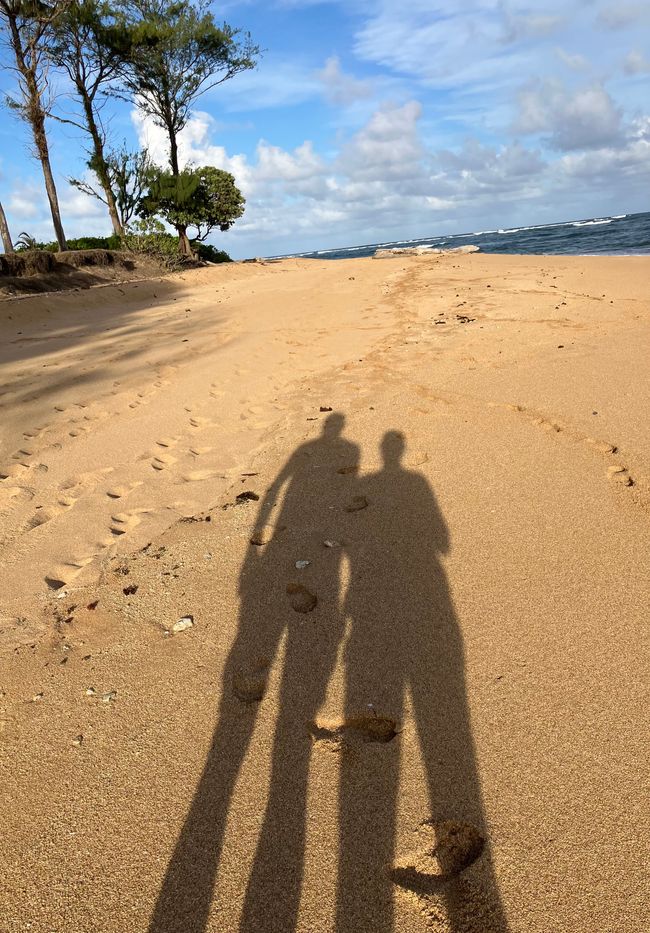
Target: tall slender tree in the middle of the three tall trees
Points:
(87, 44)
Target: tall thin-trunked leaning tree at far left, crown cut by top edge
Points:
(29, 26)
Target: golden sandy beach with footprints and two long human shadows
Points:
(322, 594)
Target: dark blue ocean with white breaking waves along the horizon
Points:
(623, 235)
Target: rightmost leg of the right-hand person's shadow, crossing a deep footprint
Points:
(453, 874)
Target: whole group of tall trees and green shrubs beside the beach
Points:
(72, 60)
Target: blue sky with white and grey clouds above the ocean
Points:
(372, 121)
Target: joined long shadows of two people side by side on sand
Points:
(402, 637)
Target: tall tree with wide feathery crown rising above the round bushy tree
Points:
(177, 52)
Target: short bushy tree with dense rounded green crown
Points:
(203, 198)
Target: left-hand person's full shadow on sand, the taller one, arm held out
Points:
(271, 603)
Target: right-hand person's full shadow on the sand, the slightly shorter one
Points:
(405, 641)
